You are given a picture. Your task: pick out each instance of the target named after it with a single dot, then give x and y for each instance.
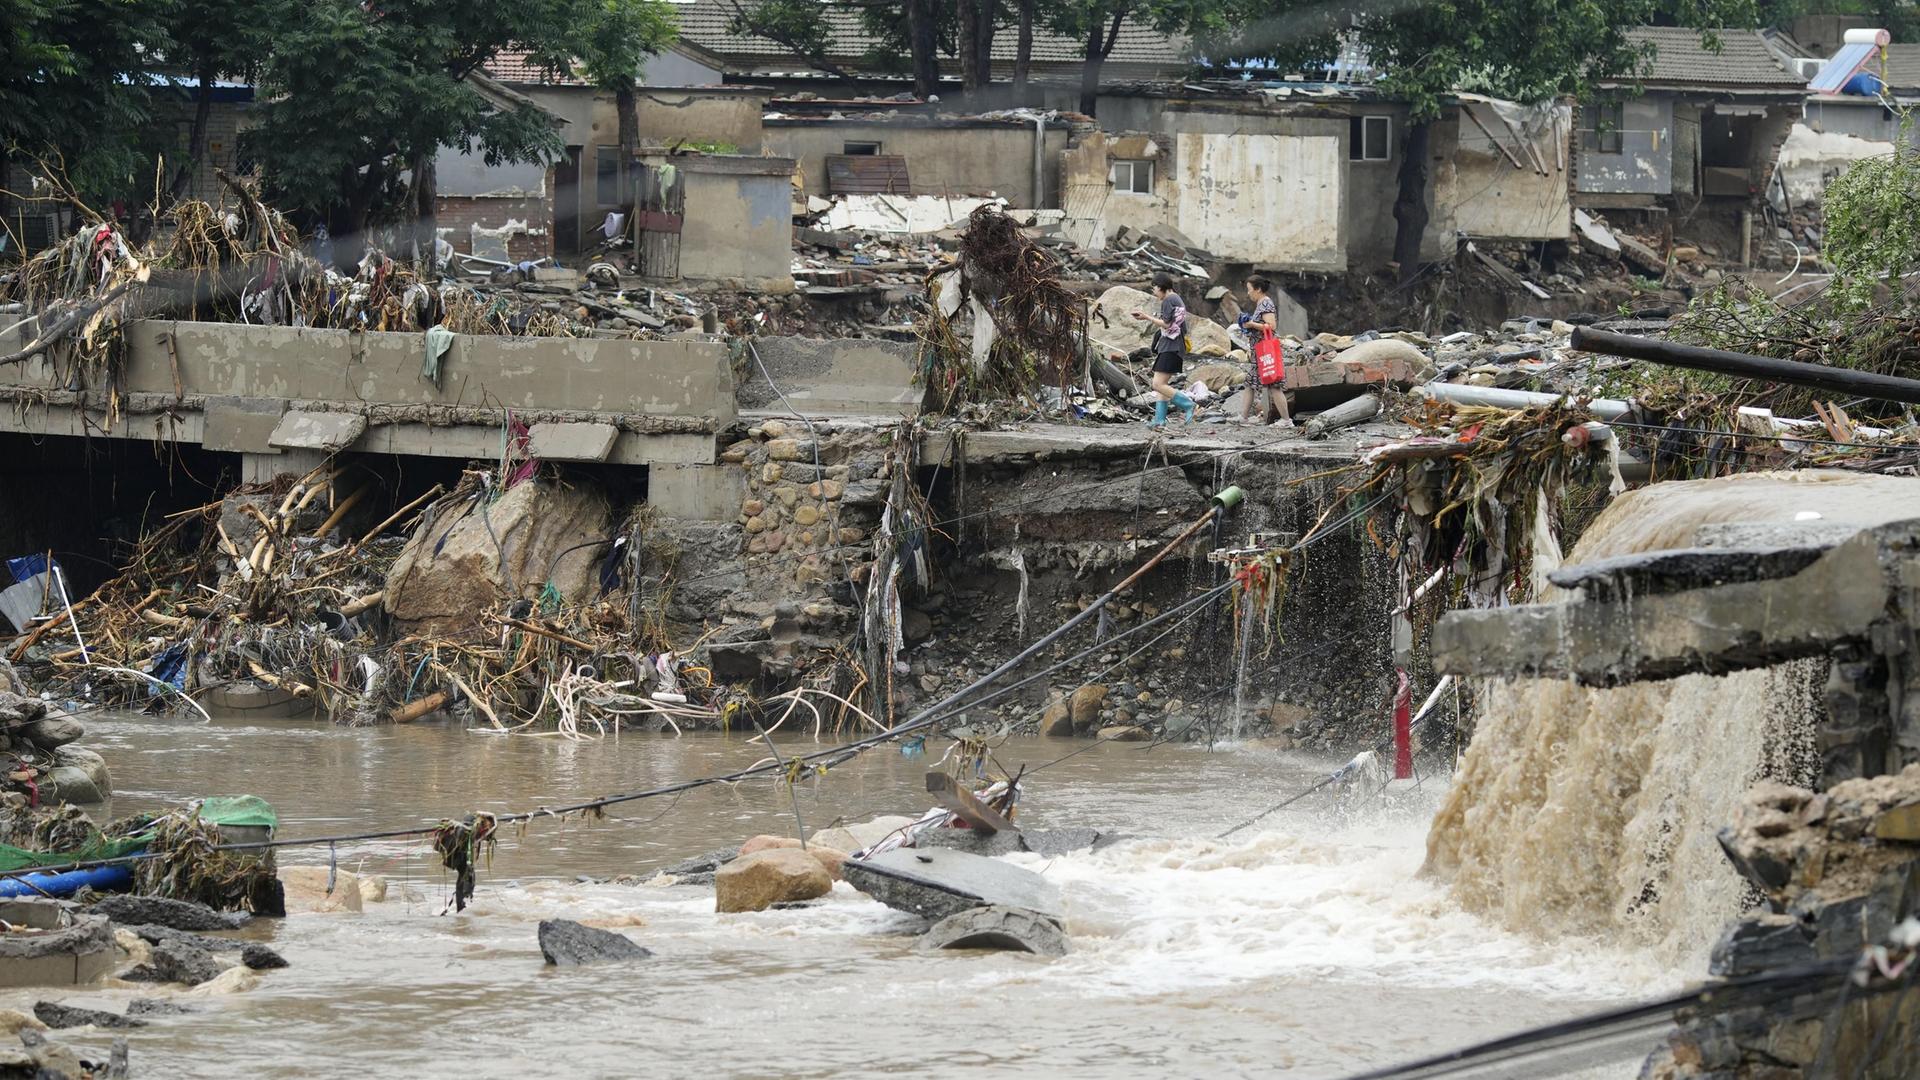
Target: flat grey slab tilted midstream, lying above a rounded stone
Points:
(938, 883)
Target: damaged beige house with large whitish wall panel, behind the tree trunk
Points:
(1303, 176)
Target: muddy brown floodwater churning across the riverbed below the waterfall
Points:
(1305, 945)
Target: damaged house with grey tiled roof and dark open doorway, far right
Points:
(1696, 141)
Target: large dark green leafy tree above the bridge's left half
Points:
(358, 101)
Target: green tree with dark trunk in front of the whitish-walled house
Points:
(1527, 51)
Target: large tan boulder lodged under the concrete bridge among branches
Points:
(469, 556)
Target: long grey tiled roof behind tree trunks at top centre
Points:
(706, 24)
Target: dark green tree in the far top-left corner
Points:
(74, 86)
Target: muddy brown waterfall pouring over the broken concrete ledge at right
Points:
(1595, 812)
